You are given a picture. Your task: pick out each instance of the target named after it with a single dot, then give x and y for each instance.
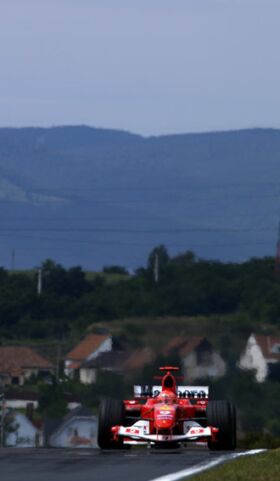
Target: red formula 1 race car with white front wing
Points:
(167, 415)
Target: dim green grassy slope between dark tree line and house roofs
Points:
(226, 332)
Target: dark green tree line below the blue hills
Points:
(180, 285)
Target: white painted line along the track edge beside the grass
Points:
(185, 473)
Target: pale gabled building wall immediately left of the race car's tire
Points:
(78, 432)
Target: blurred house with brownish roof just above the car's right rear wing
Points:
(199, 358)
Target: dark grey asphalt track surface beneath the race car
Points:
(94, 465)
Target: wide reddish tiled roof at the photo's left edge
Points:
(14, 359)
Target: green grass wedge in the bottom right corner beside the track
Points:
(261, 467)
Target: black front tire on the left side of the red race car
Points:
(111, 413)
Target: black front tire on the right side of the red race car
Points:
(222, 415)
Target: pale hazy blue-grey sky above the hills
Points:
(148, 66)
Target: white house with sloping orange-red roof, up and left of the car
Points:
(88, 349)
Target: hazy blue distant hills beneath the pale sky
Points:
(97, 197)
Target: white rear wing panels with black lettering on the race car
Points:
(182, 391)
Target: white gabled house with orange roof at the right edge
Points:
(261, 354)
